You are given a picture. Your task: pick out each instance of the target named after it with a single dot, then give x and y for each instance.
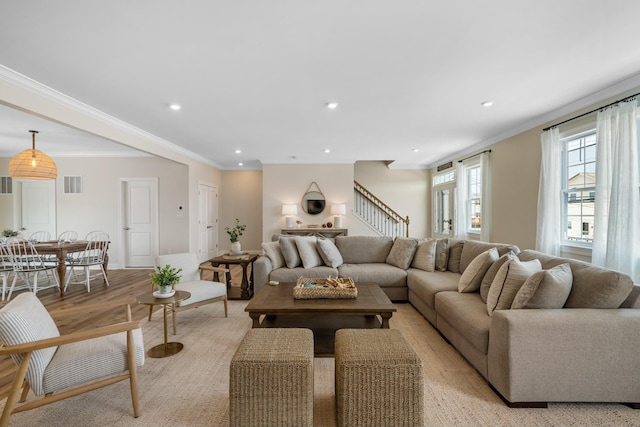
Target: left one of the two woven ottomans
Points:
(271, 379)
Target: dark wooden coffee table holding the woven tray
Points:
(274, 307)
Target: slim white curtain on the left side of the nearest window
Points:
(549, 231)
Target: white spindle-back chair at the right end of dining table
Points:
(92, 256)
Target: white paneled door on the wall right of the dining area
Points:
(140, 222)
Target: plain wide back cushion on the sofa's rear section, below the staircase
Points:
(364, 249)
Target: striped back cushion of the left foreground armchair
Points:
(24, 320)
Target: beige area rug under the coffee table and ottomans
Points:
(191, 387)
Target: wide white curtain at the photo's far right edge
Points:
(616, 242)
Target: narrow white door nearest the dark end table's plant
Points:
(207, 222)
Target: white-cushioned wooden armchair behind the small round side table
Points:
(202, 291)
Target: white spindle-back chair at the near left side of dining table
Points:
(27, 262)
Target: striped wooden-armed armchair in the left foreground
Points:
(58, 366)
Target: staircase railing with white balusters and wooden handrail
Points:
(378, 214)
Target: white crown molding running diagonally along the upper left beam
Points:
(26, 83)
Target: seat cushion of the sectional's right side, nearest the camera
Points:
(467, 314)
